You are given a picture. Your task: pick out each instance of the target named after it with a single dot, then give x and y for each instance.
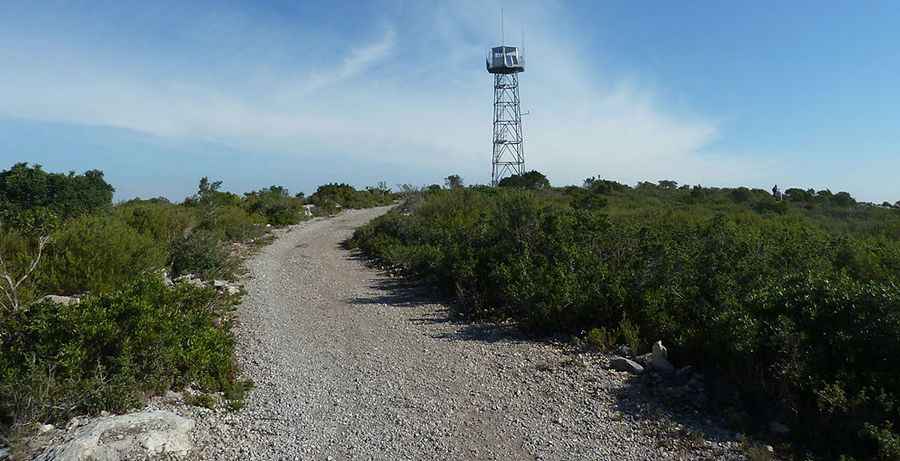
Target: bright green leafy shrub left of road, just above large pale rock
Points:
(111, 350)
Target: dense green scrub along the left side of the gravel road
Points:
(130, 334)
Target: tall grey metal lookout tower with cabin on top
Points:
(508, 156)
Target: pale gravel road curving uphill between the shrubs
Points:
(348, 365)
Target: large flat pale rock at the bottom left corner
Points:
(145, 435)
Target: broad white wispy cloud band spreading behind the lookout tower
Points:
(428, 106)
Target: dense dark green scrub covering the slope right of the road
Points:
(792, 305)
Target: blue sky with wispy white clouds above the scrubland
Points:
(157, 94)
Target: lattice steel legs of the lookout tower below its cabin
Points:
(509, 140)
